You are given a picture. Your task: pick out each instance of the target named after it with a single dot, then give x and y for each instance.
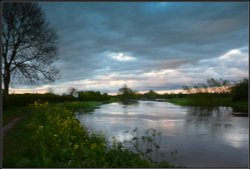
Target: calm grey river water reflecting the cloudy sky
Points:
(202, 137)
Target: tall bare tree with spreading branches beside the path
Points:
(29, 45)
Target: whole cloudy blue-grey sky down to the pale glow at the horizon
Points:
(147, 45)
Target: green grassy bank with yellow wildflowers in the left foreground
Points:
(59, 140)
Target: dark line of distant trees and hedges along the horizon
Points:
(213, 91)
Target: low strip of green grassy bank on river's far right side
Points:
(210, 102)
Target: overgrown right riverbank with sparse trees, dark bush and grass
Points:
(222, 93)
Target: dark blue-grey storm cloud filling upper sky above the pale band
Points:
(157, 35)
